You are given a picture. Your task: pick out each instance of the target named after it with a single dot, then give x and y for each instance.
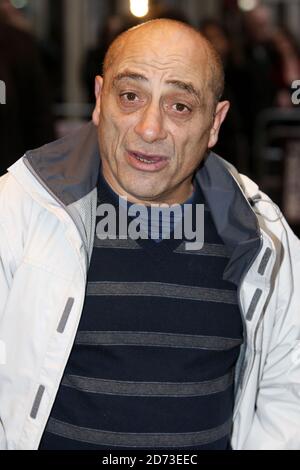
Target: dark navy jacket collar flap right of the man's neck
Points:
(234, 218)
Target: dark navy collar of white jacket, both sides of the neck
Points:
(69, 168)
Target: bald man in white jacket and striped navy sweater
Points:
(146, 343)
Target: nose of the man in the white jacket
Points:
(150, 126)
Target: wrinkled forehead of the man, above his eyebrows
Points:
(164, 52)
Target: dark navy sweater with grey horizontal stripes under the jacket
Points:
(153, 360)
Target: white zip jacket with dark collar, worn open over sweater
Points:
(47, 222)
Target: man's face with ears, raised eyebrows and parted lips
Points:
(155, 116)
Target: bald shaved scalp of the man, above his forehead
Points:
(171, 32)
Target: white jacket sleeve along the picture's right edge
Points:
(276, 423)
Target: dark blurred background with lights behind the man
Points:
(51, 51)
